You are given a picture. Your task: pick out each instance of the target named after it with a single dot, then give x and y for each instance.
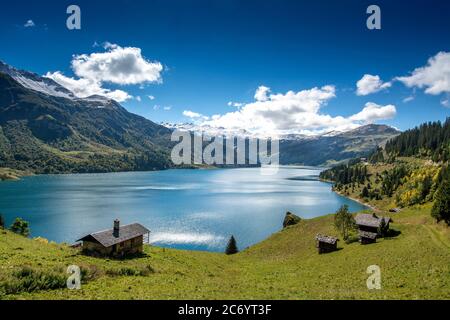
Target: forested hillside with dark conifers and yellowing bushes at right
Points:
(412, 169)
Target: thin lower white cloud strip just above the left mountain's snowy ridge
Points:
(84, 88)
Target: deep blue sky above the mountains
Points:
(215, 52)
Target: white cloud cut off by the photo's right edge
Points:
(435, 76)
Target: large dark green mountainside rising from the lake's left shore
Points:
(47, 134)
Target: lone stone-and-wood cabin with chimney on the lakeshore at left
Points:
(116, 242)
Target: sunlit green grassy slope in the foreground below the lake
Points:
(414, 265)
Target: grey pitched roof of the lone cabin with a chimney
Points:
(107, 239)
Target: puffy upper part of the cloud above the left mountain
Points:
(124, 66)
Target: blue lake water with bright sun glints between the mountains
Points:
(186, 209)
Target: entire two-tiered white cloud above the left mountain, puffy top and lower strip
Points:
(118, 65)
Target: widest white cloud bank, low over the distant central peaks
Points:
(290, 113)
